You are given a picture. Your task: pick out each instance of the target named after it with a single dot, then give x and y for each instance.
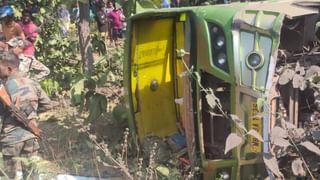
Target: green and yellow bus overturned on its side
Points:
(247, 53)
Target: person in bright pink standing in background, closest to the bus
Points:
(116, 18)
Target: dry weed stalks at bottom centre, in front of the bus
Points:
(148, 167)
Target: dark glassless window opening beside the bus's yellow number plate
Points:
(216, 128)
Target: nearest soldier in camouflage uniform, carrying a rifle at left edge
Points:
(16, 140)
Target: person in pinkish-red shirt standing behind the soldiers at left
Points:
(30, 31)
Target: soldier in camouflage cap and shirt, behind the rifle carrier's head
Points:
(29, 66)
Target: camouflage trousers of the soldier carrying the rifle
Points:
(23, 149)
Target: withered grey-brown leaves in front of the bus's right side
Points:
(293, 149)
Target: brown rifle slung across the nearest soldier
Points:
(19, 115)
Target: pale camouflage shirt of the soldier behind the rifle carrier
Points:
(31, 68)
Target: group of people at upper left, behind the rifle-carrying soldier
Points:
(19, 37)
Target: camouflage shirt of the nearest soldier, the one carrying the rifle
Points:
(30, 96)
